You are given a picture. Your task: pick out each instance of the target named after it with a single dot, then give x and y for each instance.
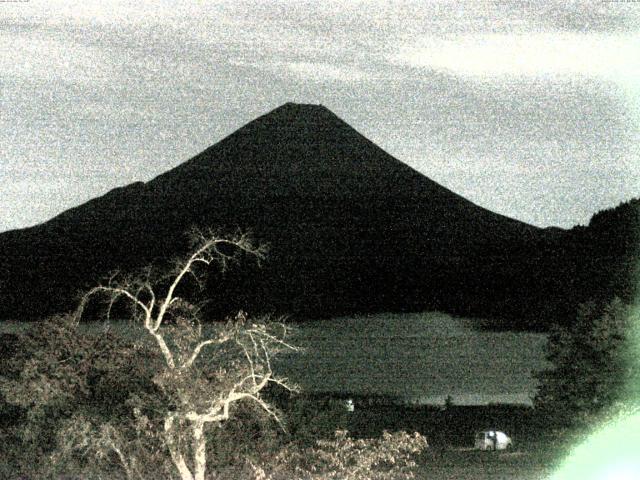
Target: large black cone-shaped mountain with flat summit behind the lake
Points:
(350, 229)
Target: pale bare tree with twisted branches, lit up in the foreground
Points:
(203, 376)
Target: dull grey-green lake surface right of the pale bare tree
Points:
(420, 358)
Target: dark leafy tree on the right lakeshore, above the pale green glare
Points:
(590, 366)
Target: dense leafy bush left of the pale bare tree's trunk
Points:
(75, 390)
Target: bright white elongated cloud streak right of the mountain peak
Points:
(613, 57)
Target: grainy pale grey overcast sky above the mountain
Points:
(530, 109)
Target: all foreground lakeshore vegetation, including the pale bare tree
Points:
(175, 402)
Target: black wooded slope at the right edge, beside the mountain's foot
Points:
(593, 263)
